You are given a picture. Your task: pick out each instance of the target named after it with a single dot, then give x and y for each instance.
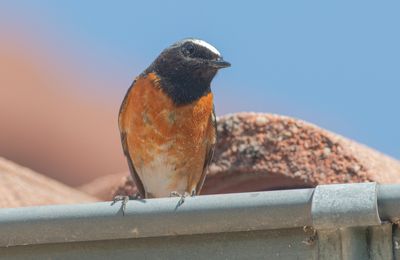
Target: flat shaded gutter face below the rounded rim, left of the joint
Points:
(270, 244)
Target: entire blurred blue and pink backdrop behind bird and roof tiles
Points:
(66, 65)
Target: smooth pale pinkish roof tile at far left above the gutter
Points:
(20, 187)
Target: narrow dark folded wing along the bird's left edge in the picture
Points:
(124, 142)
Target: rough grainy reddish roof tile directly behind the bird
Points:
(267, 152)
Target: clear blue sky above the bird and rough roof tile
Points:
(333, 63)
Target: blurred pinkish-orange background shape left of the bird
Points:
(50, 121)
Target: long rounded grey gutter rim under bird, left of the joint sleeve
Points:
(156, 217)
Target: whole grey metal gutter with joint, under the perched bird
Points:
(345, 221)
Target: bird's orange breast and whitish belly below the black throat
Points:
(167, 143)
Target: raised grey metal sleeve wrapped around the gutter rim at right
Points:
(338, 205)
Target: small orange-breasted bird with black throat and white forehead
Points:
(167, 120)
